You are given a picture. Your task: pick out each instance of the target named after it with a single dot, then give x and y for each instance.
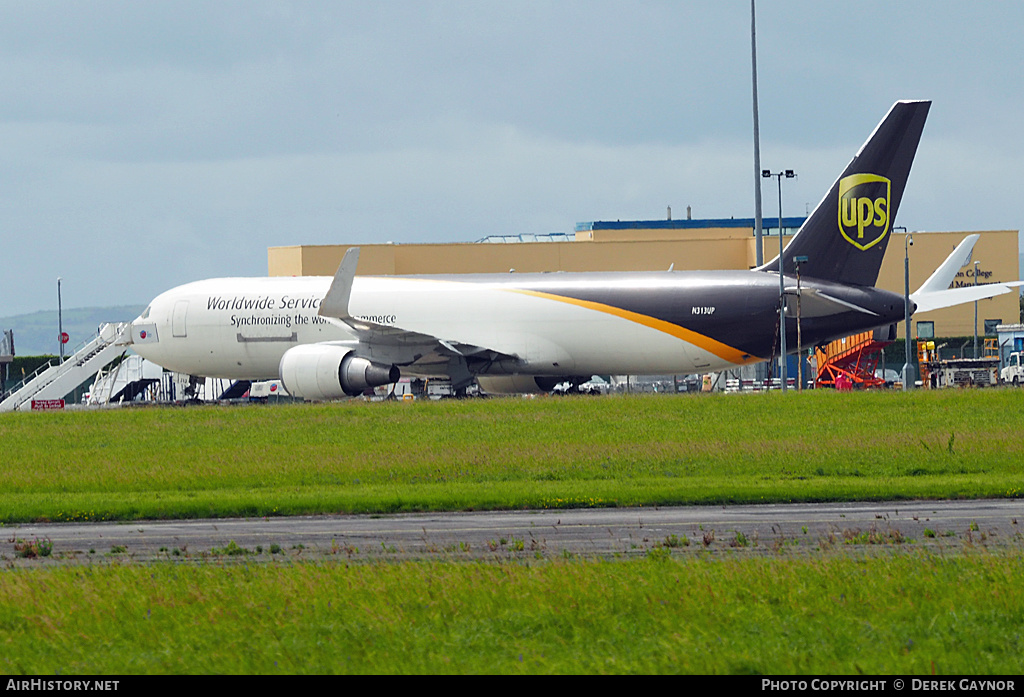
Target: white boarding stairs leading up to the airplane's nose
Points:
(55, 381)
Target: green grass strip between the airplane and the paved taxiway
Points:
(508, 454)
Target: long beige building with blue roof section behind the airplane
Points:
(687, 245)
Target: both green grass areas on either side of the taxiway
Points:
(835, 611)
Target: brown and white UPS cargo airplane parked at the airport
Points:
(327, 338)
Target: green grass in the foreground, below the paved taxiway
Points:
(914, 615)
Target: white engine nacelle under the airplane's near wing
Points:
(320, 372)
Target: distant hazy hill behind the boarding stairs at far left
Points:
(36, 334)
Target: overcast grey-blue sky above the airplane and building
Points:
(145, 145)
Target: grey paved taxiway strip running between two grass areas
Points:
(769, 529)
